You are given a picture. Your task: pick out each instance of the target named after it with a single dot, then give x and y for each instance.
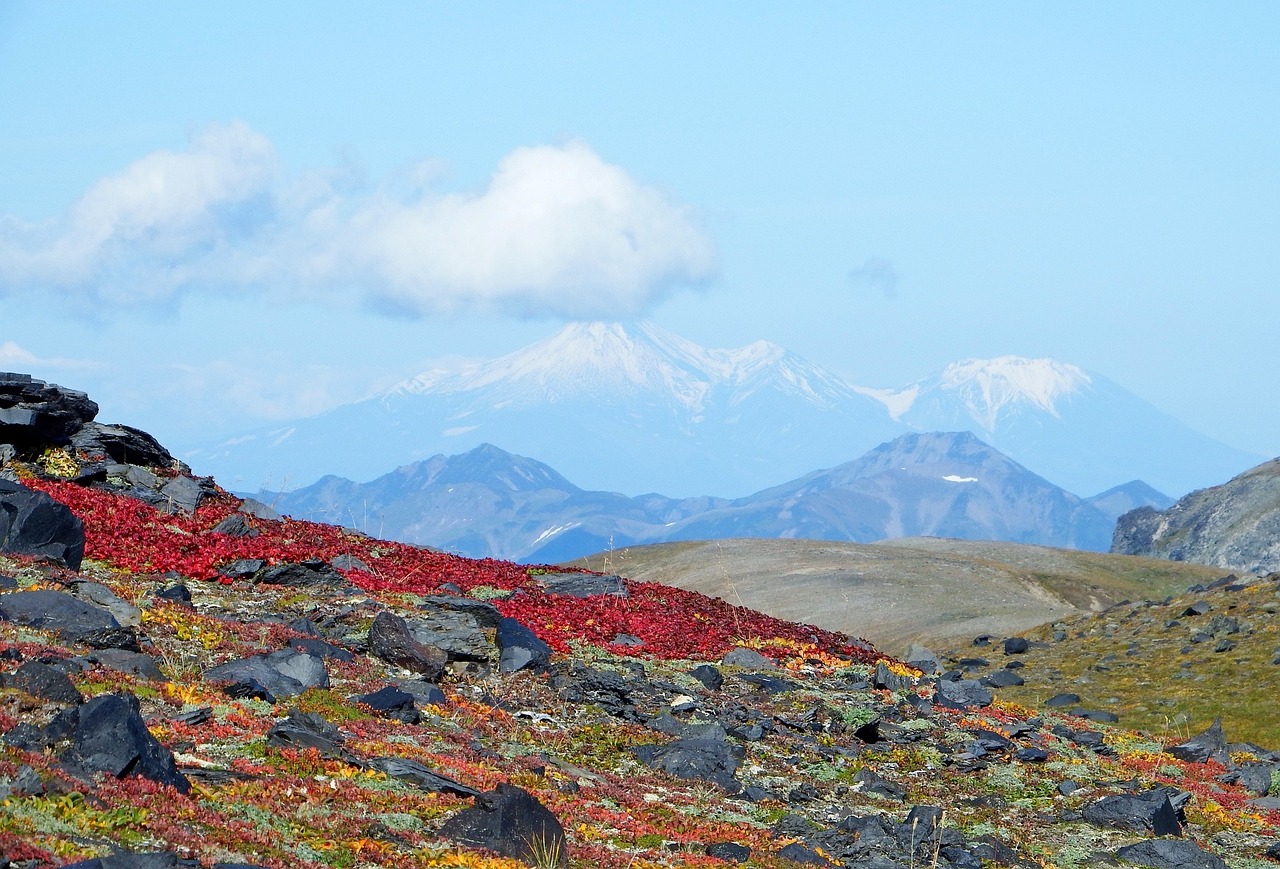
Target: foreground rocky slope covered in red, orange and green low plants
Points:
(217, 688)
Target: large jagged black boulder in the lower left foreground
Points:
(112, 738)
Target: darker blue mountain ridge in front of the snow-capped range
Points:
(488, 502)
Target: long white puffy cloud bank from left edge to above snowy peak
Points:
(557, 231)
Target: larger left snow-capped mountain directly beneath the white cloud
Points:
(619, 409)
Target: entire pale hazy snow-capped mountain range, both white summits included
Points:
(637, 409)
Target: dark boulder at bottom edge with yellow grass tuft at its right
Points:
(513, 824)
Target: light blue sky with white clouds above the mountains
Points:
(221, 216)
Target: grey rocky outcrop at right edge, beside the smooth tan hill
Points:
(1235, 527)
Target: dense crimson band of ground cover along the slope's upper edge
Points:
(673, 623)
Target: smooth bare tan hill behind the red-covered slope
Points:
(902, 592)
